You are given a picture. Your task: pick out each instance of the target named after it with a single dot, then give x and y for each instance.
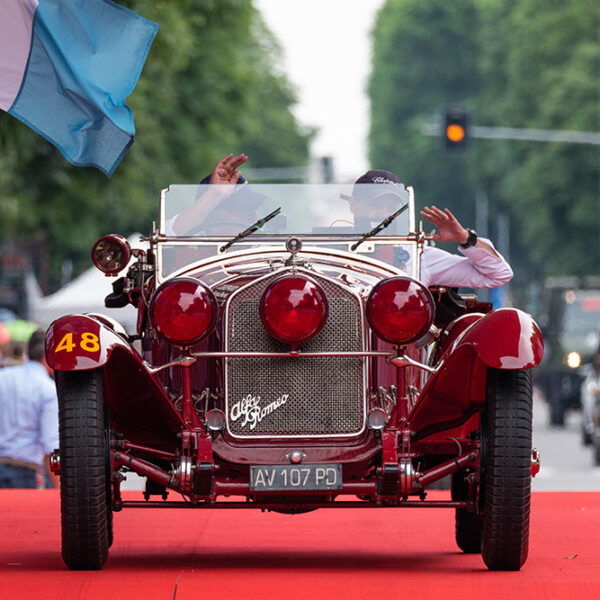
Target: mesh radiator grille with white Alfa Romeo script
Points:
(270, 396)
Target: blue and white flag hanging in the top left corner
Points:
(66, 67)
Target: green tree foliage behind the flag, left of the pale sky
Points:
(210, 86)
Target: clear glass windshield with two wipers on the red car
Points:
(199, 222)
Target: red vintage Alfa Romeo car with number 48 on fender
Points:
(287, 357)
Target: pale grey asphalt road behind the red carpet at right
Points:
(566, 463)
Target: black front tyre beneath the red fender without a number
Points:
(506, 465)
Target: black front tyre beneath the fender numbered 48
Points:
(86, 517)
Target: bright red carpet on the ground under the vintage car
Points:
(371, 553)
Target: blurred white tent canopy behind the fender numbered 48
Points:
(84, 294)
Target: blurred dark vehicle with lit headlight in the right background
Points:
(570, 322)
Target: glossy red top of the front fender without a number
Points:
(507, 338)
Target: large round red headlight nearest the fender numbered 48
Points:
(183, 311)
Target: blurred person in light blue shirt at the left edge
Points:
(28, 419)
